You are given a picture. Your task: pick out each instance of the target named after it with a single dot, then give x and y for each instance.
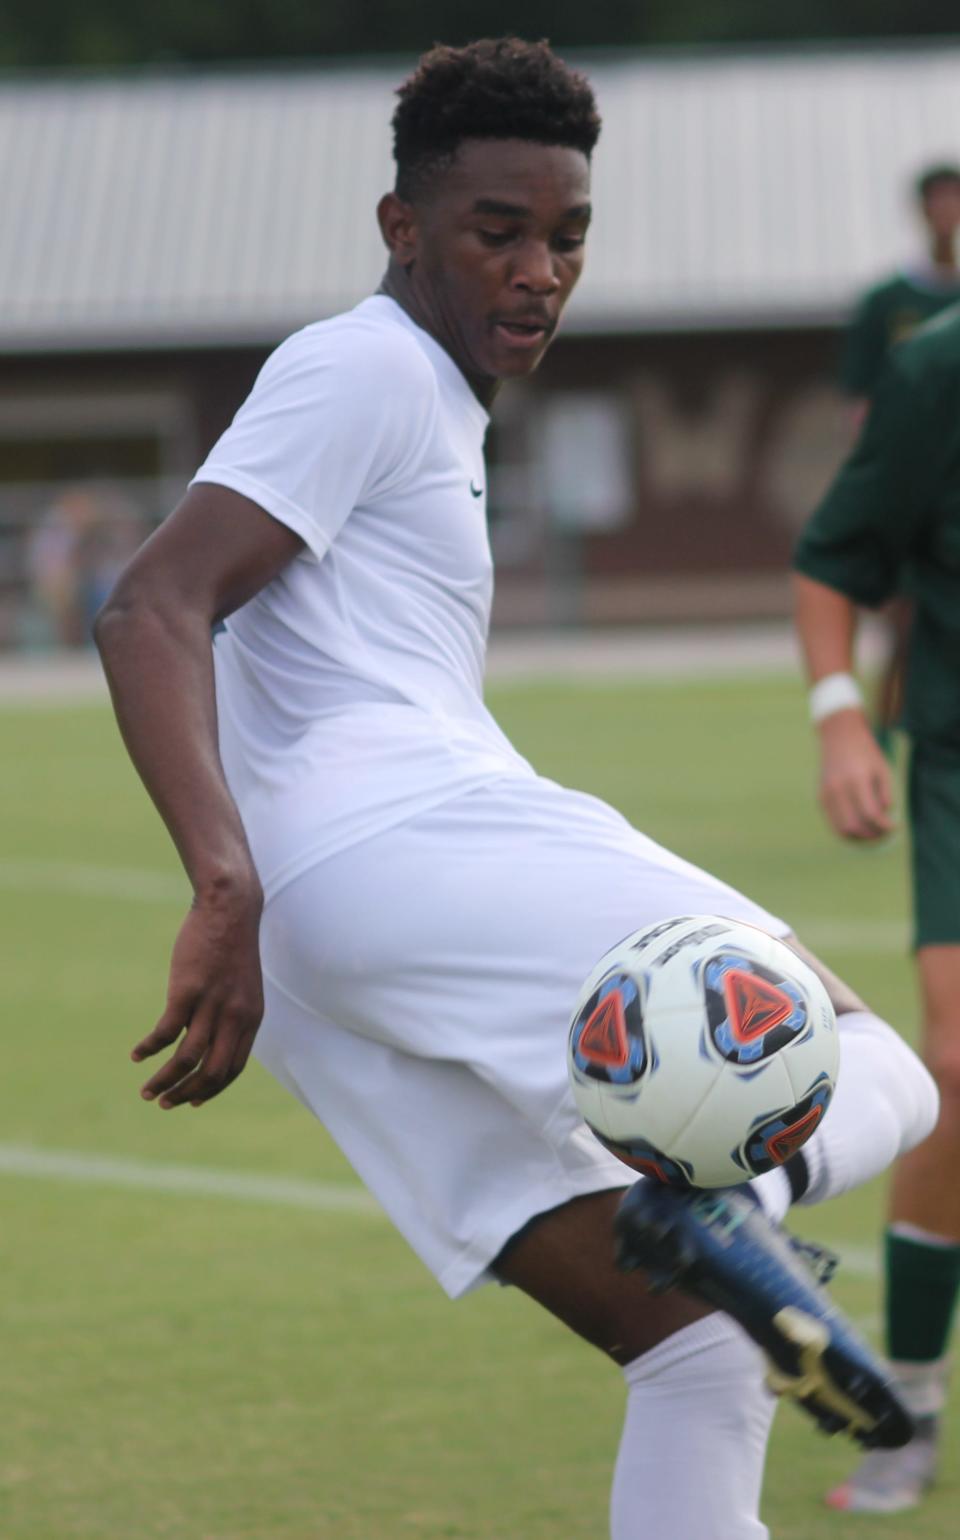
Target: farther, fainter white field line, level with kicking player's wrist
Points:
(86, 880)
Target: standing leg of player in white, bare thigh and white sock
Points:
(696, 1393)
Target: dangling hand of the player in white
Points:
(215, 1005)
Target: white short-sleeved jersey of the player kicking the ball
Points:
(351, 688)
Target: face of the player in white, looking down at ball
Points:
(500, 246)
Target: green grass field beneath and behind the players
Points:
(213, 1367)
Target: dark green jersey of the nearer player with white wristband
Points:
(893, 518)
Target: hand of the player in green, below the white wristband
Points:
(856, 780)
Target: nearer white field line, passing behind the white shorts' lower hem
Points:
(76, 1168)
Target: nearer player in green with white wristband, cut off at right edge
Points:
(893, 515)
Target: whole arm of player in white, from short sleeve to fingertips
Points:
(338, 413)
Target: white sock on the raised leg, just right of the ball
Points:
(885, 1105)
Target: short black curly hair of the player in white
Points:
(495, 89)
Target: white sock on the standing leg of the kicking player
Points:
(694, 1442)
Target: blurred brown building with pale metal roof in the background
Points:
(161, 232)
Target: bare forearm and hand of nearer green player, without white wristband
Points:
(856, 785)
